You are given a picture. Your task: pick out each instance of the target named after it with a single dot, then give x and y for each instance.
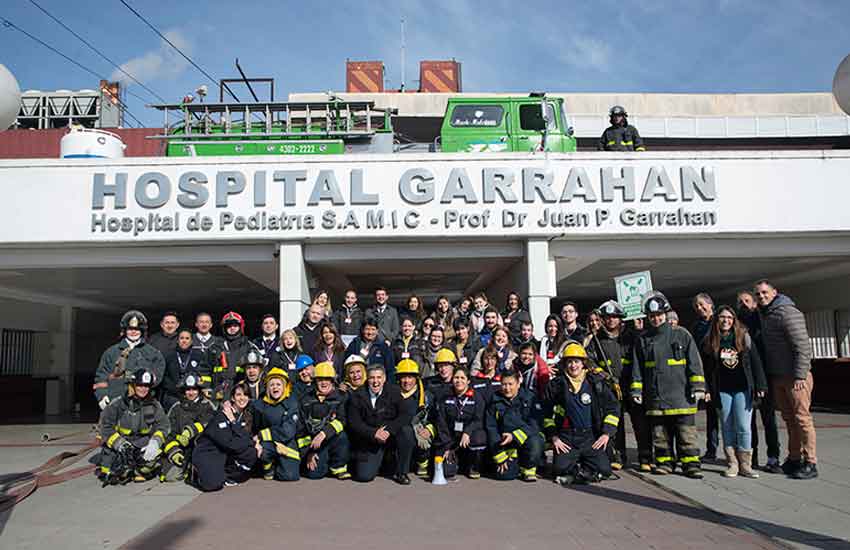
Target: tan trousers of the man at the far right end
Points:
(794, 407)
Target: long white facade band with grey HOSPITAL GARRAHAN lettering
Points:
(347, 196)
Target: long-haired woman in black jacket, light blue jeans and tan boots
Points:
(736, 379)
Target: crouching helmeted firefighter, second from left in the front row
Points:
(187, 418)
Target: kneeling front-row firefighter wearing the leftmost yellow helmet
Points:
(276, 422)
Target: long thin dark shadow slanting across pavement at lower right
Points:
(776, 531)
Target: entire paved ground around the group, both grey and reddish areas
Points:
(626, 513)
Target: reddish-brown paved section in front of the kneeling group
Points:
(330, 514)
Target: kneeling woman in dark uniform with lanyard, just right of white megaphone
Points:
(460, 428)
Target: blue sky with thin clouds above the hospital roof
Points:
(640, 46)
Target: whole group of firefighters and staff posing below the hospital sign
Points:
(466, 389)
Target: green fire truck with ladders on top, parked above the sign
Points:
(522, 124)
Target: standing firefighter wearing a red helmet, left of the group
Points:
(224, 355)
